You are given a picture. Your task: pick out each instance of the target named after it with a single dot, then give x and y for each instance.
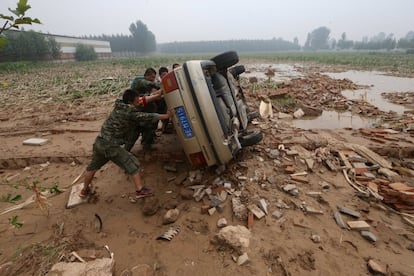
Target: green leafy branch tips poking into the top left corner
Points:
(14, 23)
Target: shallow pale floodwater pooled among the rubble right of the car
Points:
(377, 82)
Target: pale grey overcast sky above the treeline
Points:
(194, 20)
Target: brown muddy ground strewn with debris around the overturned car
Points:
(298, 236)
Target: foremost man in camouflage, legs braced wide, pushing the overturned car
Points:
(109, 144)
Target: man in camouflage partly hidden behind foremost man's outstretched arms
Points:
(145, 85)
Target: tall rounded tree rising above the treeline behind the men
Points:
(143, 39)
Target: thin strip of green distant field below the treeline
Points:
(396, 62)
